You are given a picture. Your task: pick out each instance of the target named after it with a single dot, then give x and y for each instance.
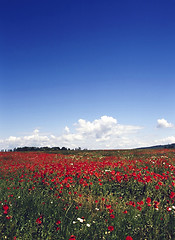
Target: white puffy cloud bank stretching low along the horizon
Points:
(102, 133)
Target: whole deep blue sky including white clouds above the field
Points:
(94, 74)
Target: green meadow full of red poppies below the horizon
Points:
(110, 195)
